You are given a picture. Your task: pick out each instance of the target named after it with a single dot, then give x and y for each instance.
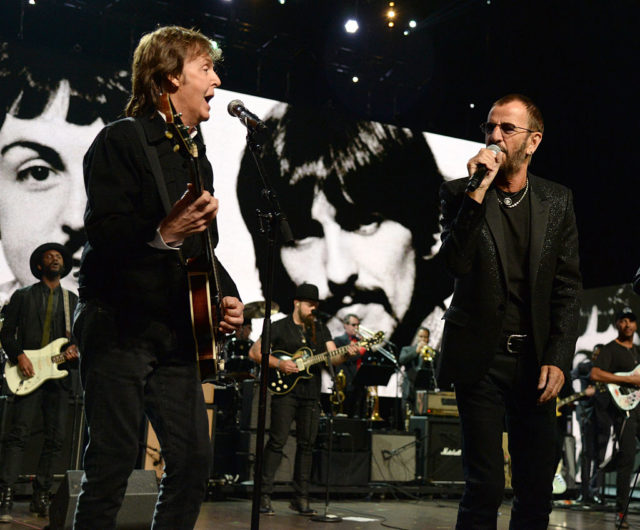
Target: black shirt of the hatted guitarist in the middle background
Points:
(287, 336)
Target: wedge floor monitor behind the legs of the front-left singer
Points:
(136, 511)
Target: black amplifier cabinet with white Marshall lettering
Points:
(439, 449)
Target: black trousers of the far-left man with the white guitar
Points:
(52, 401)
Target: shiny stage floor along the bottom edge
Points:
(361, 515)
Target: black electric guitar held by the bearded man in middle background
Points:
(281, 383)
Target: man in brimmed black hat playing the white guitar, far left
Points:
(35, 316)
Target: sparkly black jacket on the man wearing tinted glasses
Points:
(473, 247)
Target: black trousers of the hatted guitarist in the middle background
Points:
(284, 409)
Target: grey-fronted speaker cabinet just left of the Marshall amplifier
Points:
(393, 457)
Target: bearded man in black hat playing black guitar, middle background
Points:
(300, 400)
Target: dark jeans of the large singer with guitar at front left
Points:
(122, 383)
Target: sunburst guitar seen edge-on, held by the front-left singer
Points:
(203, 275)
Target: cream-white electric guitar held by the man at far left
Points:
(45, 363)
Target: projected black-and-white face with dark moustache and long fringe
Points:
(361, 199)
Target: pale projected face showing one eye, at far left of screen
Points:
(42, 194)
